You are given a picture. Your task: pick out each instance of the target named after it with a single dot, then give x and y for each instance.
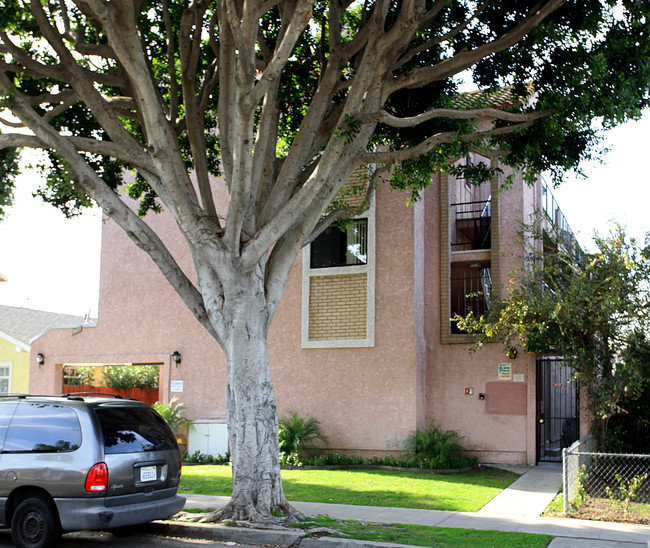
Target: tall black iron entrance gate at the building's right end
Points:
(558, 408)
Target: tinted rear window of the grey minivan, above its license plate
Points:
(134, 430)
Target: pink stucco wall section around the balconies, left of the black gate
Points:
(509, 435)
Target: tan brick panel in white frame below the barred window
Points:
(338, 307)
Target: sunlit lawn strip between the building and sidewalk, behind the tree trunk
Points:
(463, 492)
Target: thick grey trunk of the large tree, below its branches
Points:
(250, 403)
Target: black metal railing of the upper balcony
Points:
(472, 227)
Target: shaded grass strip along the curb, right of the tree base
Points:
(420, 535)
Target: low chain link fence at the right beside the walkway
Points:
(612, 486)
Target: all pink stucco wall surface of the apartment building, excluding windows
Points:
(367, 399)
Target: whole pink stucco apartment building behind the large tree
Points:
(362, 339)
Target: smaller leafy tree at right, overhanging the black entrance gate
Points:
(593, 309)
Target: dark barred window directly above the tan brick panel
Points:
(337, 247)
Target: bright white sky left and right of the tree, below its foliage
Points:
(52, 263)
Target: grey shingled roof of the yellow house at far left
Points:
(24, 324)
